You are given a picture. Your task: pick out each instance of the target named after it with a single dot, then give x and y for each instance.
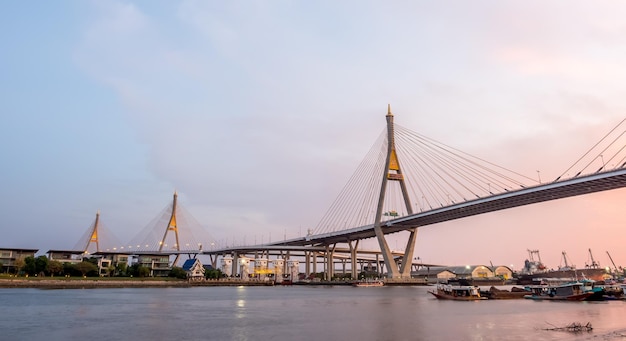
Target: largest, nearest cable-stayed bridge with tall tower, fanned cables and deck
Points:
(408, 181)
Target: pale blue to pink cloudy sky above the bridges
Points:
(258, 112)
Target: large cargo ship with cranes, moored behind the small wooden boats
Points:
(534, 270)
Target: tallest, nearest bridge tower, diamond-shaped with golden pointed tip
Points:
(393, 172)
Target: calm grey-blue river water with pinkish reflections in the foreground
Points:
(292, 313)
